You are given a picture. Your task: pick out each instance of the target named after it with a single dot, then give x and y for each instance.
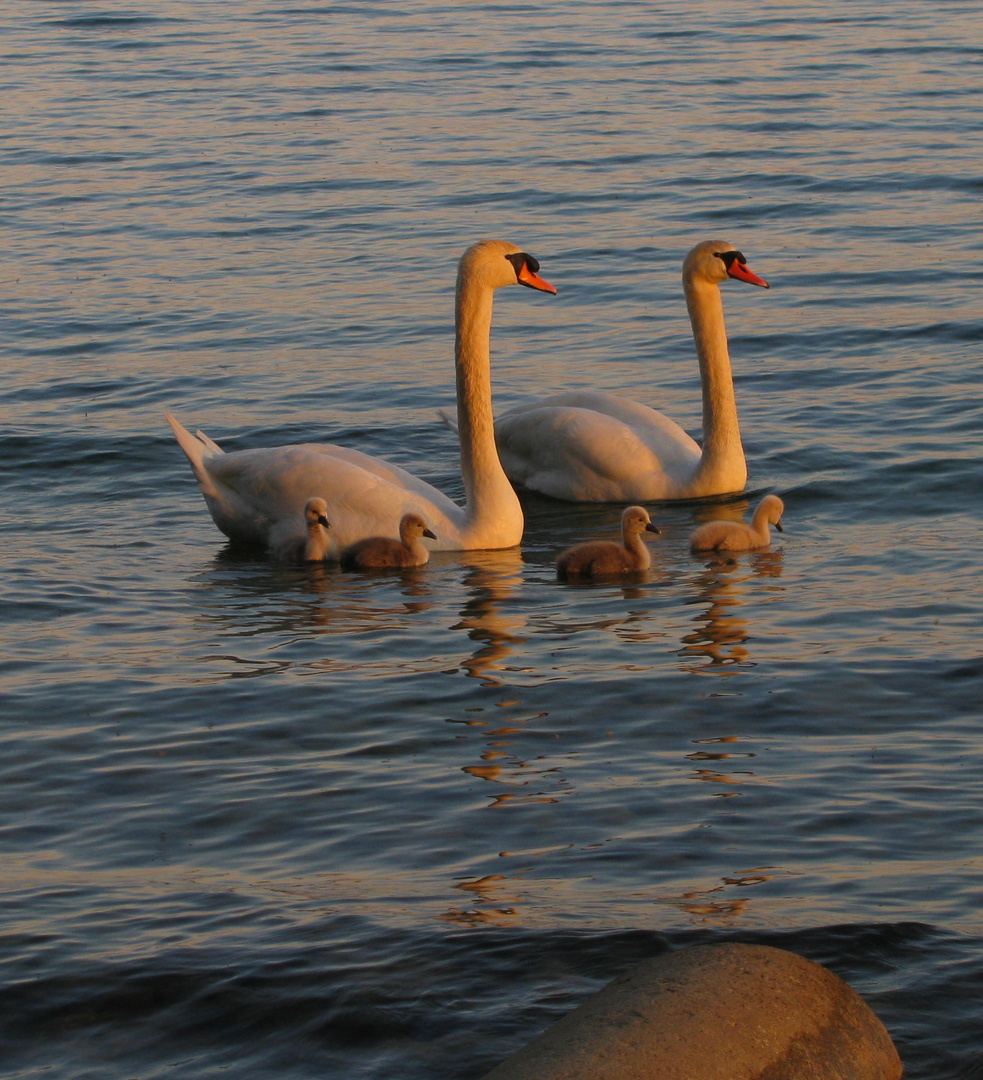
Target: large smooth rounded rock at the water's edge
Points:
(715, 1012)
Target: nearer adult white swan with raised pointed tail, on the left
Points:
(250, 492)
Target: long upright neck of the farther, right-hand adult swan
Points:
(723, 453)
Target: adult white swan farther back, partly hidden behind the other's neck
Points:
(589, 447)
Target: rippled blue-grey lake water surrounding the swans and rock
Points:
(286, 822)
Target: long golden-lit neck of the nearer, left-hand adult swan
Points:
(492, 506)
